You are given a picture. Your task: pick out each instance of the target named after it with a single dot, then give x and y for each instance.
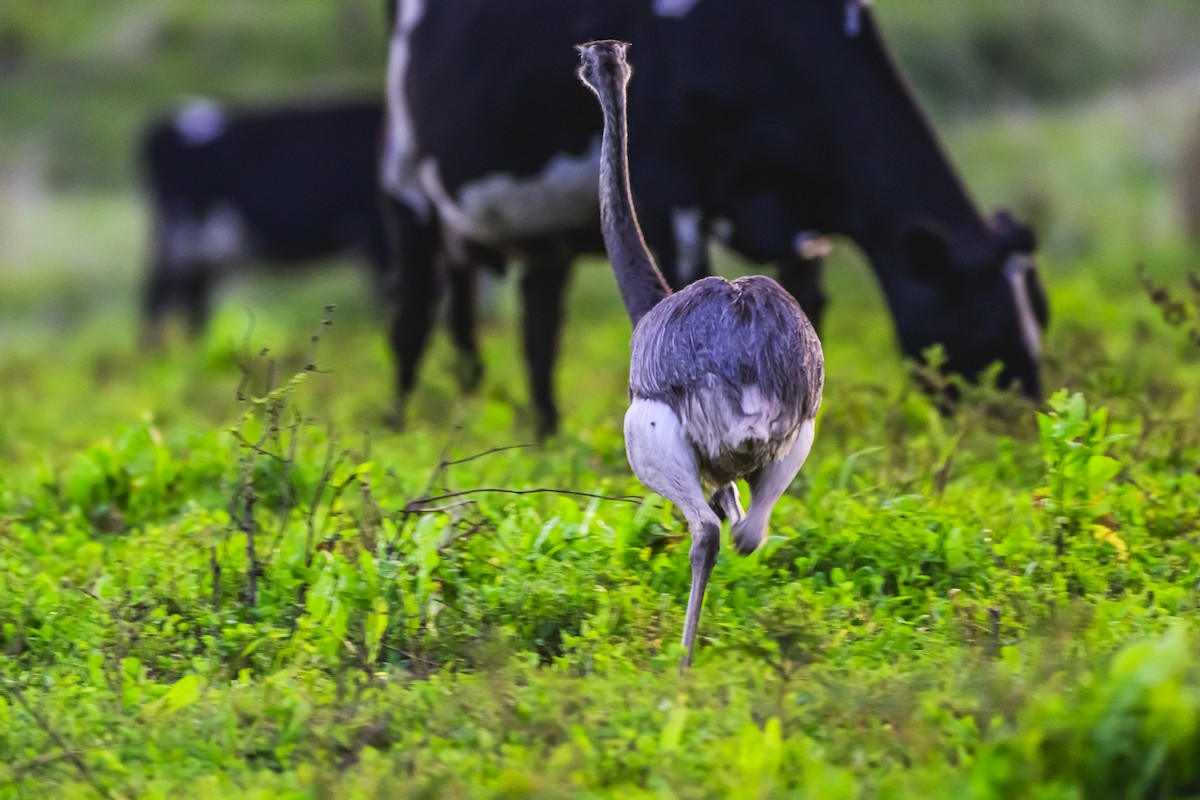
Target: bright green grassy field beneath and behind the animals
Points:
(217, 579)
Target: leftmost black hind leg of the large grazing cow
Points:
(415, 294)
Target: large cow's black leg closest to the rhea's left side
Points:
(543, 287)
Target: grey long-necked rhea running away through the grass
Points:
(725, 376)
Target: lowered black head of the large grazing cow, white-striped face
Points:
(982, 302)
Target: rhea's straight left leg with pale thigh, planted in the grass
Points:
(665, 461)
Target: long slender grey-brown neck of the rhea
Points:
(639, 279)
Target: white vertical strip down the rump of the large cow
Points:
(398, 165)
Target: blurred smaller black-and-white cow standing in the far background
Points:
(278, 185)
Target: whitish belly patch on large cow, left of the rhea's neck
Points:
(501, 208)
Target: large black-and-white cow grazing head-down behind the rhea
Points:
(764, 122)
